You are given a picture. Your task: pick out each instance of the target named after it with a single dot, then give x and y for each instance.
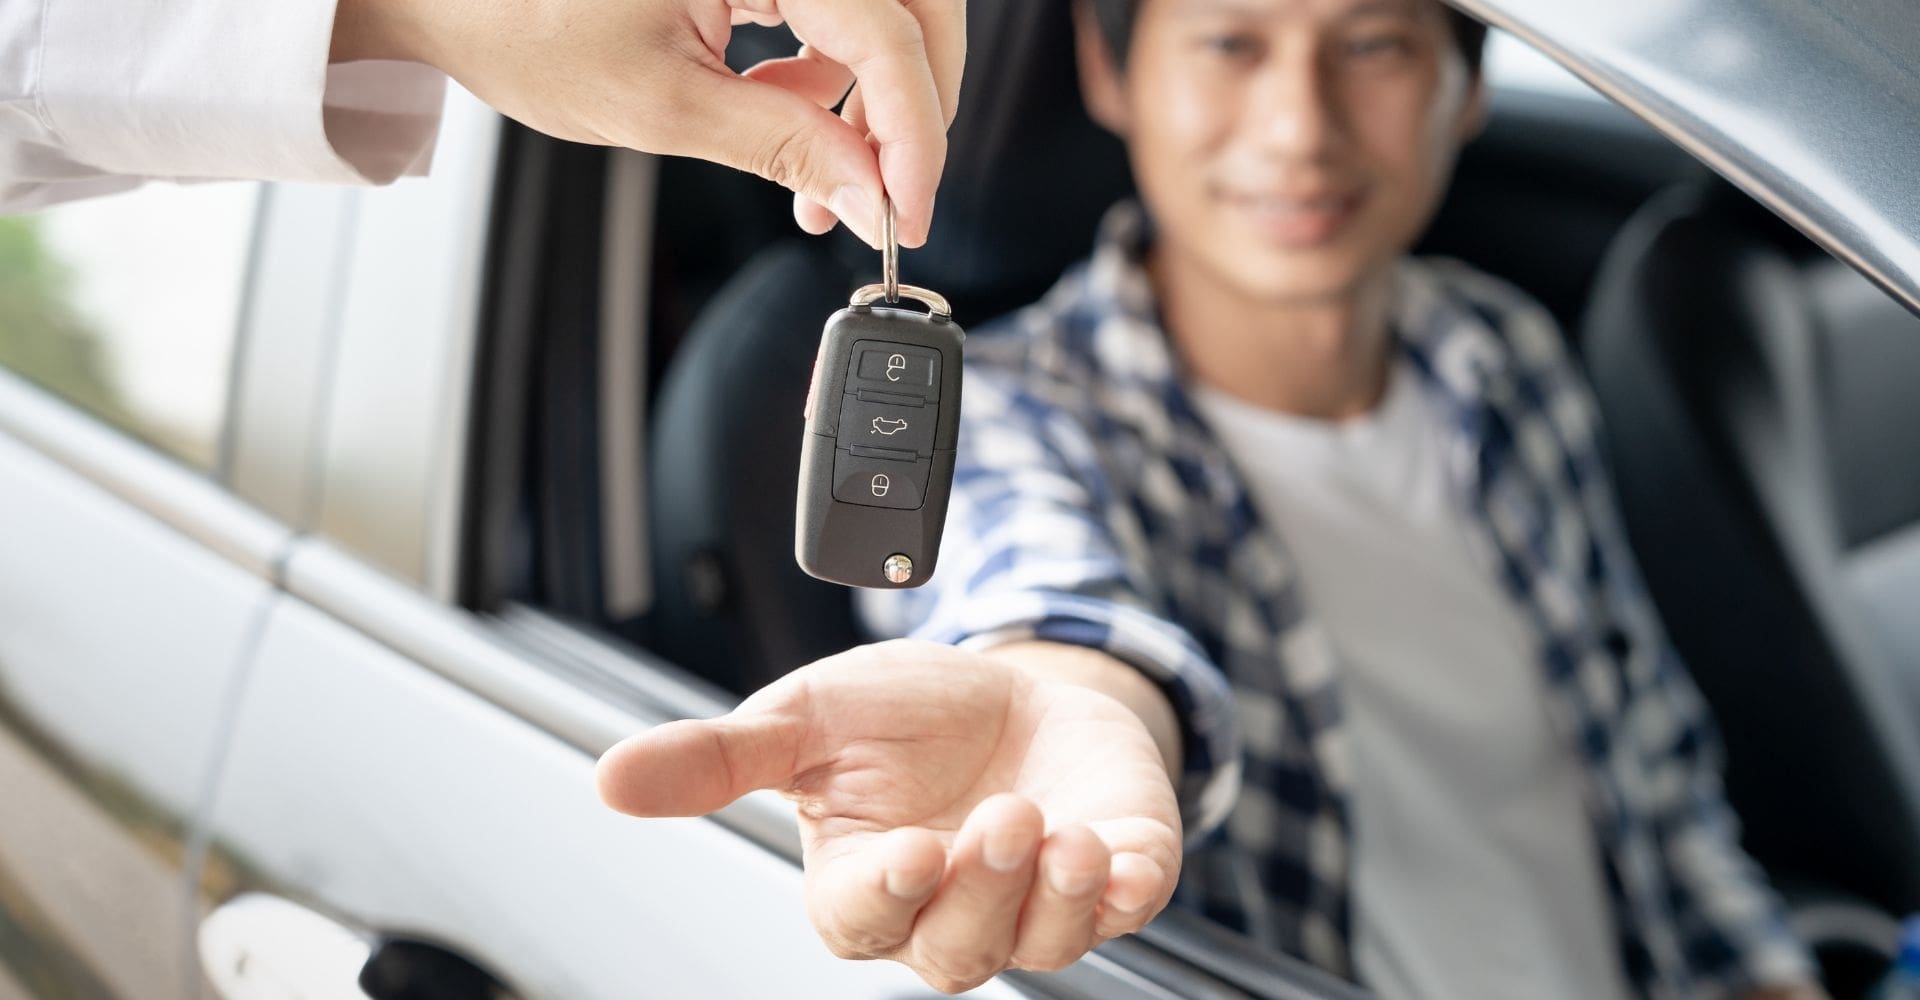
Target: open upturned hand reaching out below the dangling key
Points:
(961, 813)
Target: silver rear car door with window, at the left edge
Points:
(133, 584)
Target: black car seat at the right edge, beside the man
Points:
(1764, 419)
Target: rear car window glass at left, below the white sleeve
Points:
(128, 308)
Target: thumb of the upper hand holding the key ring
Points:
(788, 139)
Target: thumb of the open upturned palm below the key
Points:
(698, 767)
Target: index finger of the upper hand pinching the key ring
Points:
(896, 62)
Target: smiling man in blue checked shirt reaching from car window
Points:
(1268, 533)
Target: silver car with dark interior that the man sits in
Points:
(341, 531)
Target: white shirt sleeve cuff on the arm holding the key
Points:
(97, 95)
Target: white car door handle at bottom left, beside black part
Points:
(260, 947)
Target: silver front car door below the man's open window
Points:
(408, 774)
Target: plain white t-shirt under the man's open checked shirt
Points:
(1476, 867)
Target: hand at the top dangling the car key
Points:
(652, 76)
